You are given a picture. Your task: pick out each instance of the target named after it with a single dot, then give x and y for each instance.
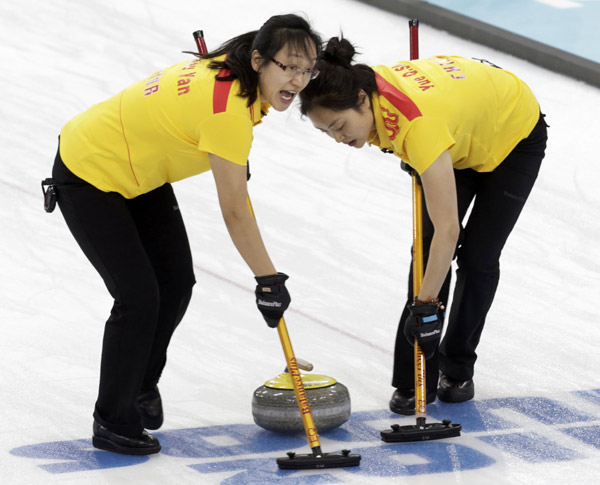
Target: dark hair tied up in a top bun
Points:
(340, 82)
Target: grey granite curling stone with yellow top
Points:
(274, 405)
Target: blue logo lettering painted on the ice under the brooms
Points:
(495, 422)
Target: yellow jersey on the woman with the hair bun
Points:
(477, 111)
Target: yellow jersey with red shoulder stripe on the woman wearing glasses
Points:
(161, 129)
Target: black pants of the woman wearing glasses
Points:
(141, 250)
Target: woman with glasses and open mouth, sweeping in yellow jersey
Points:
(113, 174)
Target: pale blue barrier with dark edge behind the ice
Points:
(559, 35)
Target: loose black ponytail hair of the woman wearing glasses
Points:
(275, 33)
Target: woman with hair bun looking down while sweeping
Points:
(475, 135)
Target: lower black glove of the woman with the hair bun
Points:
(425, 324)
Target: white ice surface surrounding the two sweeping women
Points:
(337, 221)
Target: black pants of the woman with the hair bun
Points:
(499, 198)
